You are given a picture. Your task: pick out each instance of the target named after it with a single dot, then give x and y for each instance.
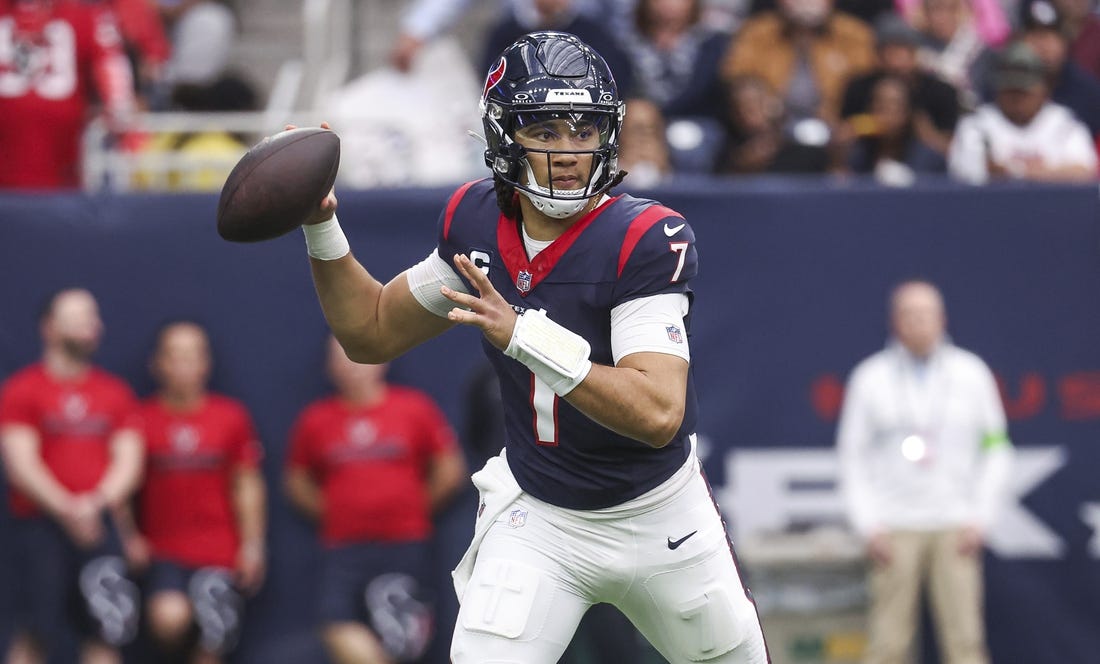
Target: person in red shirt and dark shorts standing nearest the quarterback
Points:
(371, 464)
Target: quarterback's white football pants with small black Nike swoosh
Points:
(663, 559)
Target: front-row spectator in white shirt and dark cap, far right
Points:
(1022, 135)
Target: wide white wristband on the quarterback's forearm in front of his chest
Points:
(556, 356)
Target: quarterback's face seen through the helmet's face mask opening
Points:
(559, 151)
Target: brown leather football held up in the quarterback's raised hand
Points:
(279, 184)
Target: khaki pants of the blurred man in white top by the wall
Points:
(927, 561)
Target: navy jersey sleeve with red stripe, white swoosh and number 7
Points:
(658, 256)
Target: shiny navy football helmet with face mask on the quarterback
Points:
(552, 76)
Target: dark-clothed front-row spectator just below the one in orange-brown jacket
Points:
(757, 141)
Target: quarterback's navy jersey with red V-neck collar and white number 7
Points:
(624, 250)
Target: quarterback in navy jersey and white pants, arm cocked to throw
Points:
(584, 302)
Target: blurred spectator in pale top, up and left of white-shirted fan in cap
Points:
(952, 48)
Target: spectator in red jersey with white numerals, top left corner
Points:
(57, 57)
